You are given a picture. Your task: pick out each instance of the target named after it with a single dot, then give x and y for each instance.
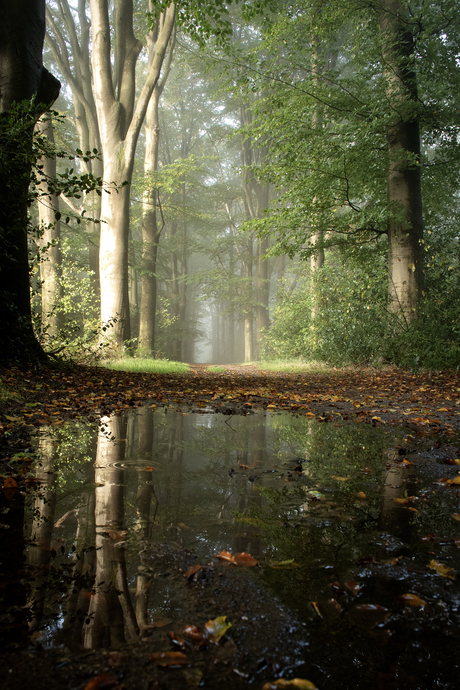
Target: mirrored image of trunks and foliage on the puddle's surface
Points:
(317, 497)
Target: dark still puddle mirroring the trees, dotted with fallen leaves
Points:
(345, 522)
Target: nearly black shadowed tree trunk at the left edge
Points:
(24, 82)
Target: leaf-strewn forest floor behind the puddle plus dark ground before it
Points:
(426, 403)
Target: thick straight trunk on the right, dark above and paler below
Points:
(405, 230)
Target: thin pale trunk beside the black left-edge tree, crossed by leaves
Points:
(49, 242)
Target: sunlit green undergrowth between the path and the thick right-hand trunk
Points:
(351, 321)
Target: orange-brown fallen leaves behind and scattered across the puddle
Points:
(103, 398)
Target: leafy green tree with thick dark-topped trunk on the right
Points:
(344, 134)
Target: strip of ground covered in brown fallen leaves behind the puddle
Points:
(425, 400)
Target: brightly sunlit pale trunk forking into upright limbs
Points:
(119, 125)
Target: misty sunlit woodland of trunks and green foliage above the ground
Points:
(240, 181)
